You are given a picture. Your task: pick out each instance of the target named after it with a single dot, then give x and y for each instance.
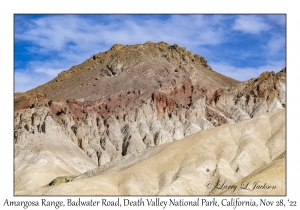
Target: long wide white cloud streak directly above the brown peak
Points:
(56, 32)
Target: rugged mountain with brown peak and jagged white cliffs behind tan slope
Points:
(130, 98)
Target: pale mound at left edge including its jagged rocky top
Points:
(43, 151)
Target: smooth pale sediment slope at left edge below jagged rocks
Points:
(47, 155)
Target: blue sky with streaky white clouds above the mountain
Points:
(239, 46)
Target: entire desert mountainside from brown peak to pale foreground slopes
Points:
(134, 106)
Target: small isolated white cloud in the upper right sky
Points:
(250, 24)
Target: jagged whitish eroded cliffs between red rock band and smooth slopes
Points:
(114, 136)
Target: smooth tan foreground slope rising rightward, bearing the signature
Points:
(196, 164)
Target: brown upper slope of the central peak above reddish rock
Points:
(140, 68)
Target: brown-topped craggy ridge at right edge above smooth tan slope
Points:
(254, 97)
